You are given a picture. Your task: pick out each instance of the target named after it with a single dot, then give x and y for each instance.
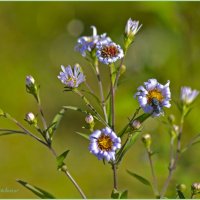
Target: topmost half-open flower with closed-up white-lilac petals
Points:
(132, 27)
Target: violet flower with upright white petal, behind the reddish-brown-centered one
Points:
(88, 43)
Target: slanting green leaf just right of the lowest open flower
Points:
(130, 141)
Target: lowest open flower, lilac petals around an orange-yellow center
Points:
(104, 143)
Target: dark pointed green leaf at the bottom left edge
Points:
(36, 190)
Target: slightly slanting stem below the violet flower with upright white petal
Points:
(101, 90)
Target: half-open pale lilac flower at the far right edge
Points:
(188, 95)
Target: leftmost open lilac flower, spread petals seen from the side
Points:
(72, 78)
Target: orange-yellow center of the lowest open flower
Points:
(105, 143)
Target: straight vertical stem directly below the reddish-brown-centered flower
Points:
(112, 98)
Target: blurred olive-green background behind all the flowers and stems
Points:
(37, 37)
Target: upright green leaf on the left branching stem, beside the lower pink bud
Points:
(55, 123)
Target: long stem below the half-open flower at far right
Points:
(174, 159)
